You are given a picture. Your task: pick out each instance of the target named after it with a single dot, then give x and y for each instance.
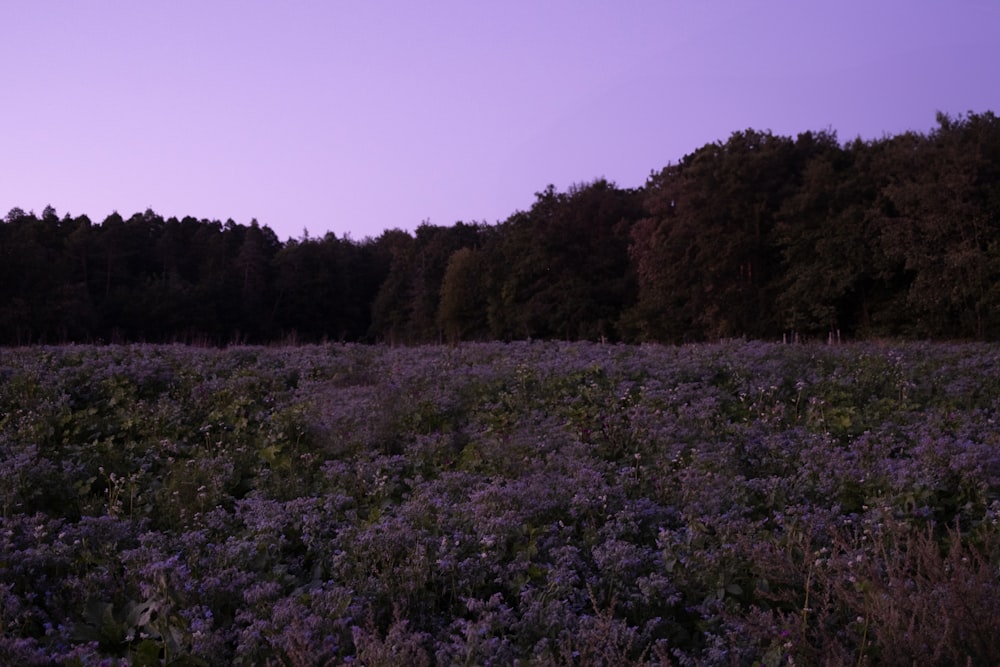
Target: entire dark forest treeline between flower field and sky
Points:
(759, 236)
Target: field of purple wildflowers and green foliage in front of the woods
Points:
(497, 504)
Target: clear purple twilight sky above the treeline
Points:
(357, 117)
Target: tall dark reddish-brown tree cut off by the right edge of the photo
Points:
(944, 225)
